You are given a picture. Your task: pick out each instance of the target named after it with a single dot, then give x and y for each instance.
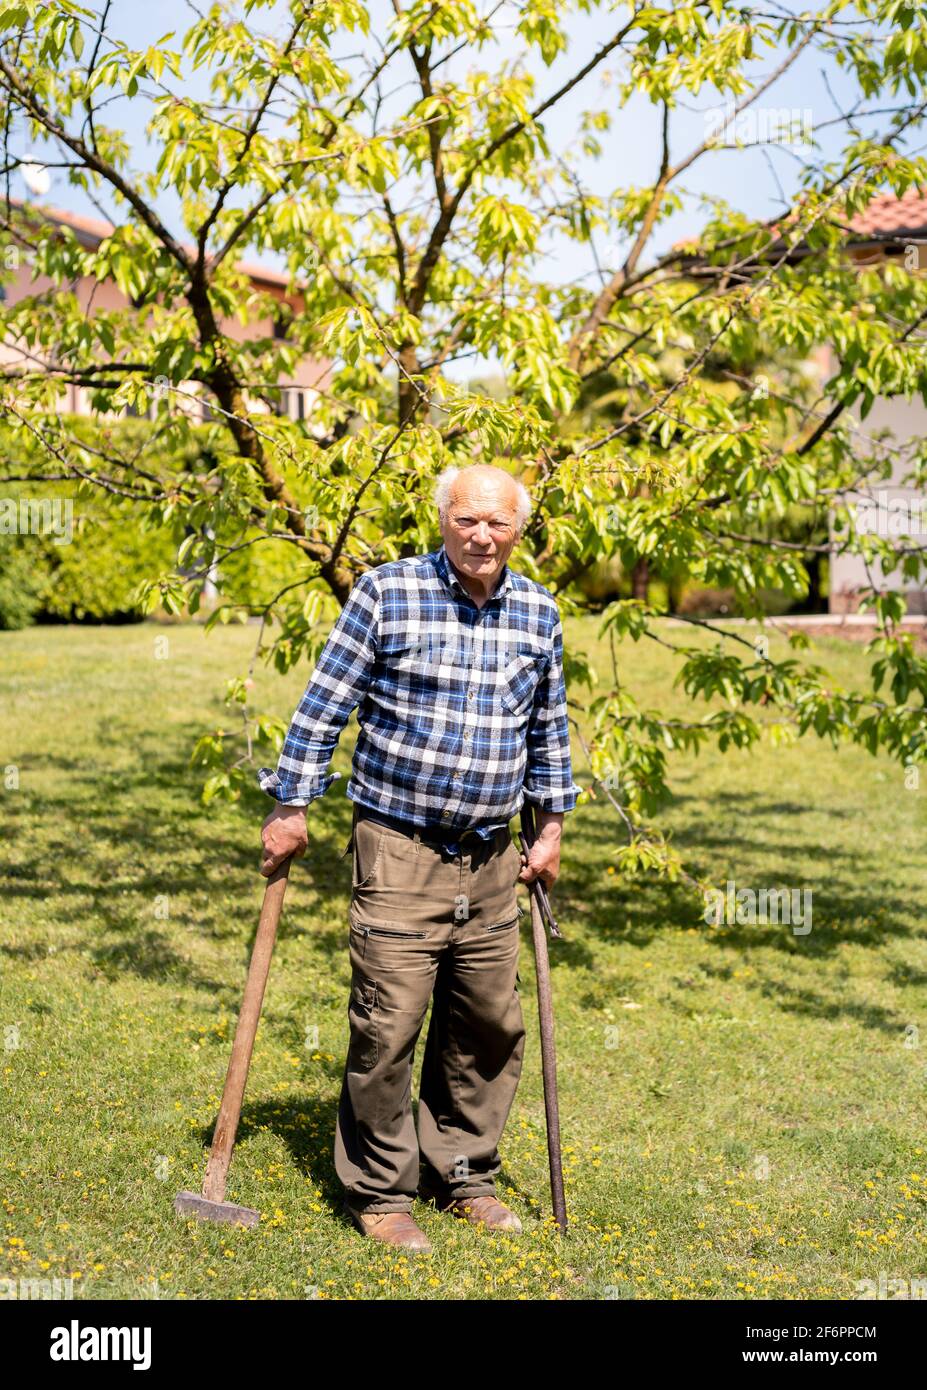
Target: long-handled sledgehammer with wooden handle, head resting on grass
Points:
(211, 1204)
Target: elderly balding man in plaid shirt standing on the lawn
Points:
(457, 665)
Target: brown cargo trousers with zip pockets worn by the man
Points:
(429, 926)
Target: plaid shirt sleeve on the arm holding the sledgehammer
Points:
(336, 689)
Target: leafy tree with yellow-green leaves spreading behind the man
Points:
(415, 176)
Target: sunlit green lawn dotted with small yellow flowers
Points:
(743, 1109)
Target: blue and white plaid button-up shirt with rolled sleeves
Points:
(463, 711)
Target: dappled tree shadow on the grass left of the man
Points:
(120, 843)
